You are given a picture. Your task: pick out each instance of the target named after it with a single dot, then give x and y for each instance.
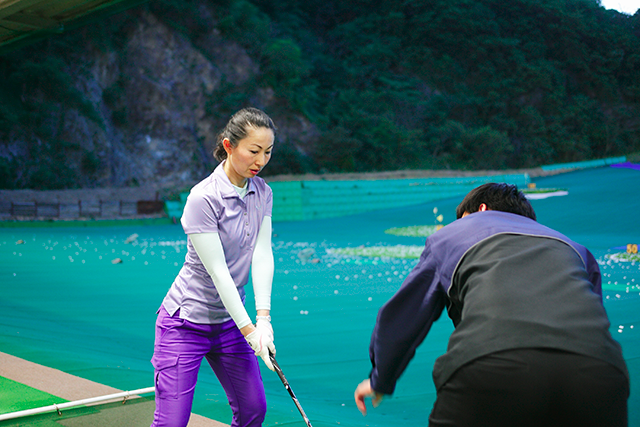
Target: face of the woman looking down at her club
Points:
(251, 154)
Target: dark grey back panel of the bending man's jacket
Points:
(513, 291)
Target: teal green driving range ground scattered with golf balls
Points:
(67, 306)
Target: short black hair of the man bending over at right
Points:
(498, 197)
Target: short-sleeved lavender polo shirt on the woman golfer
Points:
(213, 206)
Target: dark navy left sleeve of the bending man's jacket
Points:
(404, 321)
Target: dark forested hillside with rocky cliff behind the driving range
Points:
(137, 97)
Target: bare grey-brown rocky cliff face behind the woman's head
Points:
(158, 104)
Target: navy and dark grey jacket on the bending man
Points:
(507, 282)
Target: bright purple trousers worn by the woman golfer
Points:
(178, 351)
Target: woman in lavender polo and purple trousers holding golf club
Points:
(227, 218)
